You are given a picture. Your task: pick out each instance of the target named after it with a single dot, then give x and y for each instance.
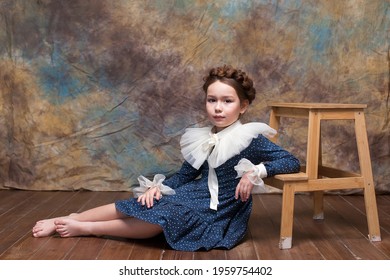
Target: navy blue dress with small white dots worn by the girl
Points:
(187, 220)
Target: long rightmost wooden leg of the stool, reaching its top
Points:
(366, 171)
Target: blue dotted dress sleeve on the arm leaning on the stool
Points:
(275, 159)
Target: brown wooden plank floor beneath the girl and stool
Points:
(342, 235)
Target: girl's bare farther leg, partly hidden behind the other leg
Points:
(102, 213)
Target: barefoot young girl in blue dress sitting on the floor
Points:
(207, 203)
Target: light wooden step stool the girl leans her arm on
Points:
(317, 178)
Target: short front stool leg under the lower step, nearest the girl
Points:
(286, 226)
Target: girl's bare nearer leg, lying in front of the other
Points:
(125, 227)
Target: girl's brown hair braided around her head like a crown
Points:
(235, 78)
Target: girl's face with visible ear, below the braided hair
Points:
(223, 105)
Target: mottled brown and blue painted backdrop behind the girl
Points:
(95, 93)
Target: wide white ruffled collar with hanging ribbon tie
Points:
(200, 144)
